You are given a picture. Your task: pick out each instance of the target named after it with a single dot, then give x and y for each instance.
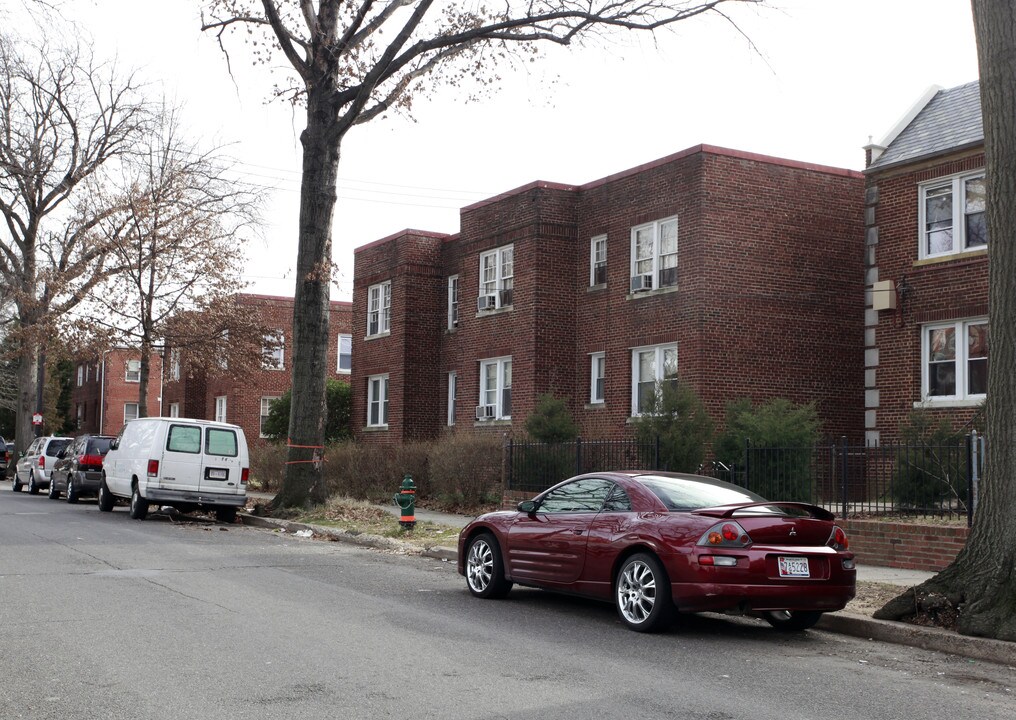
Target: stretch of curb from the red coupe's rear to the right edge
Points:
(936, 639)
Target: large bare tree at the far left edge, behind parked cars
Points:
(66, 122)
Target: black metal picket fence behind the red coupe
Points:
(851, 480)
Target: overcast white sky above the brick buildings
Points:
(827, 76)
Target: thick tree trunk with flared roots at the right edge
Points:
(981, 583)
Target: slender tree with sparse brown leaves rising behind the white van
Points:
(179, 239)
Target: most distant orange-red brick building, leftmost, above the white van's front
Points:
(105, 391)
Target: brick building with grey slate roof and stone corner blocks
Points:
(926, 335)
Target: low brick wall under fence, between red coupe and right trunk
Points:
(906, 546)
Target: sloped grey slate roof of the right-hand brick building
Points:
(951, 120)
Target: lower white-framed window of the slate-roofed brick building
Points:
(956, 361)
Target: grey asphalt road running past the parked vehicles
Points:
(103, 617)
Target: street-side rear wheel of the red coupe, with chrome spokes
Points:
(643, 595)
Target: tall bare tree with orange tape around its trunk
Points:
(357, 60)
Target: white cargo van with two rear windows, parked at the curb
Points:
(184, 464)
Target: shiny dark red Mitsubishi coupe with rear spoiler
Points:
(656, 543)
